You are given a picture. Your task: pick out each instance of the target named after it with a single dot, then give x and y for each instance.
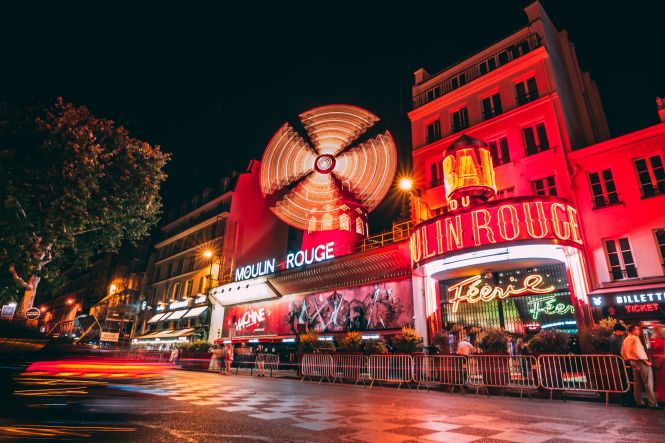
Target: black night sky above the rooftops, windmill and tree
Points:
(212, 84)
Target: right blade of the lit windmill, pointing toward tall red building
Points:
(368, 169)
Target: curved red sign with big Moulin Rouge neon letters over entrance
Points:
(502, 221)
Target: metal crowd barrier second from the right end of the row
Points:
(503, 371)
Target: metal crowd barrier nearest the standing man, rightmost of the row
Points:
(583, 373)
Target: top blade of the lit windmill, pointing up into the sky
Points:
(332, 128)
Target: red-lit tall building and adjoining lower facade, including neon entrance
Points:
(562, 202)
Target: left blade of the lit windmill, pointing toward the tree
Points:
(287, 158)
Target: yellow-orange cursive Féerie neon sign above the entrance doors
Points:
(474, 290)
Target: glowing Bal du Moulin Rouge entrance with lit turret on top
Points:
(512, 263)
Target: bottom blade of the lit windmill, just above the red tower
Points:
(315, 196)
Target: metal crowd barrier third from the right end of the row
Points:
(448, 370)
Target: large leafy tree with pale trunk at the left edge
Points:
(72, 185)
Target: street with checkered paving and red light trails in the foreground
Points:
(200, 407)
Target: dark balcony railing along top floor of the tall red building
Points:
(499, 58)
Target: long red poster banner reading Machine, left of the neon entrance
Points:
(384, 305)
